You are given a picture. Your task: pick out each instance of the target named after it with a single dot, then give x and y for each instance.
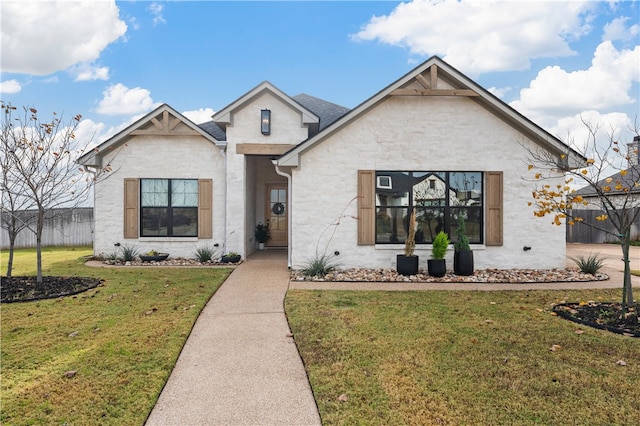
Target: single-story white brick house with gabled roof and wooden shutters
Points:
(331, 180)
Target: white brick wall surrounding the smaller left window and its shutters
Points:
(186, 157)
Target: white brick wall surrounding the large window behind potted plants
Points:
(417, 133)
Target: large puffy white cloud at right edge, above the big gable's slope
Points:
(606, 84)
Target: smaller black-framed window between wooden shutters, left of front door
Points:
(169, 207)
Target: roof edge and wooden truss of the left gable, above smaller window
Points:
(164, 121)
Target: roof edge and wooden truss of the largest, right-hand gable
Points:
(462, 86)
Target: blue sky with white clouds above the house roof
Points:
(112, 62)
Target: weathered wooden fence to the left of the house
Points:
(63, 227)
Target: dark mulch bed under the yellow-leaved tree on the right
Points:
(601, 315)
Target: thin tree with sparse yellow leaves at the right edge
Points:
(612, 177)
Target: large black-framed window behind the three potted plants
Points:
(439, 199)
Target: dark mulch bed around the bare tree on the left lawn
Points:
(25, 289)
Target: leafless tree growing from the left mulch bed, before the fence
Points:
(38, 158)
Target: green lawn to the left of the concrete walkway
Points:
(130, 332)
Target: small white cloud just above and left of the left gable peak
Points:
(120, 100)
